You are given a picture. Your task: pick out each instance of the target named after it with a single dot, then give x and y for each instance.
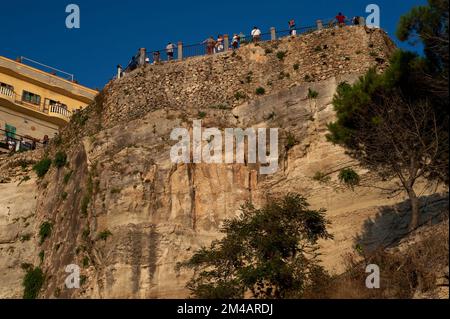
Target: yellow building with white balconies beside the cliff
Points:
(34, 103)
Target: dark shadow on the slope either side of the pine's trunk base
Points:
(390, 225)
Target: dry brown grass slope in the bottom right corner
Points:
(409, 269)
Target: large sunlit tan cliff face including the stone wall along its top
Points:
(131, 214)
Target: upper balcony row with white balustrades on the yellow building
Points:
(53, 113)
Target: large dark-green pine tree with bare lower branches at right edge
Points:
(396, 123)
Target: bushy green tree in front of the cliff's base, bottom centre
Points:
(269, 252)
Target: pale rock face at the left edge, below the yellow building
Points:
(18, 231)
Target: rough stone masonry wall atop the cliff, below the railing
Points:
(213, 81)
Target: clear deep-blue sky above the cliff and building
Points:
(112, 30)
